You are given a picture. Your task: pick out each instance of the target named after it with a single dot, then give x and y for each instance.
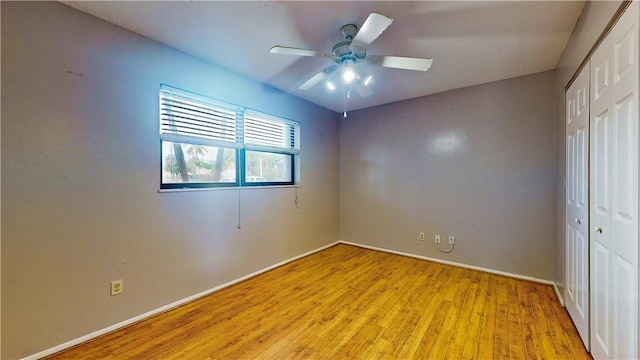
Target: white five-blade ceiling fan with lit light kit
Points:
(353, 50)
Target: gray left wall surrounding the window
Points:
(80, 166)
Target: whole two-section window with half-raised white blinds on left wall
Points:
(207, 143)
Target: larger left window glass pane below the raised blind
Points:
(189, 163)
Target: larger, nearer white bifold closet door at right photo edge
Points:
(614, 192)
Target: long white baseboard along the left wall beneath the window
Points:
(167, 307)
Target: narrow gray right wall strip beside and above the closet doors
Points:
(591, 23)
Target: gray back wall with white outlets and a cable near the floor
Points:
(477, 163)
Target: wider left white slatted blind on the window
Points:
(194, 120)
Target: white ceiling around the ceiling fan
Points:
(471, 42)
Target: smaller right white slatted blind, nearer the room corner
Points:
(267, 133)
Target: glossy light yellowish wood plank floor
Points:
(351, 303)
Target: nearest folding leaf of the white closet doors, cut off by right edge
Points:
(624, 221)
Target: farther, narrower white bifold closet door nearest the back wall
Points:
(577, 204)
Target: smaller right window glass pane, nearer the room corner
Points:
(268, 167)
